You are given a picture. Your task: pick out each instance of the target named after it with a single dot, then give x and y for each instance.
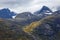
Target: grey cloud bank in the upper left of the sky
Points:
(13, 3)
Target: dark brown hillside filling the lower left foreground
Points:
(10, 30)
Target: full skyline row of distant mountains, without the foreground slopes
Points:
(43, 12)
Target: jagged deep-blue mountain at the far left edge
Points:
(6, 13)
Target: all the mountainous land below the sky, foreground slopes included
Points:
(43, 24)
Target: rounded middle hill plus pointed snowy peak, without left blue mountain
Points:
(27, 17)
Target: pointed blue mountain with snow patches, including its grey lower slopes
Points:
(43, 12)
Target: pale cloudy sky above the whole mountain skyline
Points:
(19, 6)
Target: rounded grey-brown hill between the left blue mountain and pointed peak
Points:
(26, 18)
